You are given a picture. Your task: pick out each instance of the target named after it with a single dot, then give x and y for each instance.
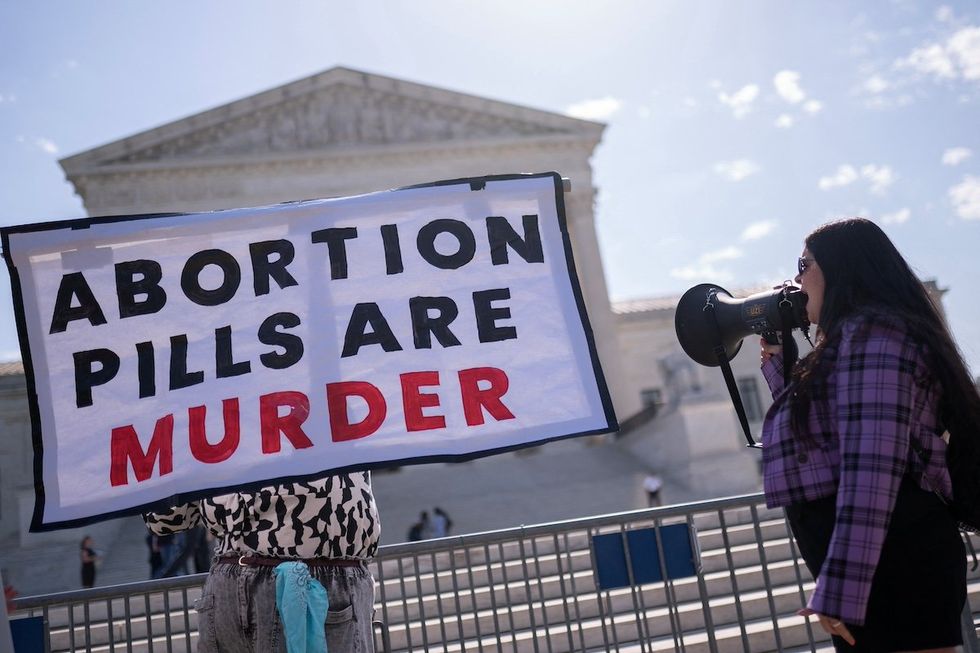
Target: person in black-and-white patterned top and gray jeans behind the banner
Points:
(290, 561)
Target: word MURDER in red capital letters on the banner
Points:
(282, 414)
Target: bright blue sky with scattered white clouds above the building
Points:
(734, 128)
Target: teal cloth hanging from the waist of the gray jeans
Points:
(302, 603)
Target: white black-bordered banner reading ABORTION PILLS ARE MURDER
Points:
(176, 356)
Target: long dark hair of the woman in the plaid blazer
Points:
(863, 271)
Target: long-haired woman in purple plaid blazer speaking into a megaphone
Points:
(853, 447)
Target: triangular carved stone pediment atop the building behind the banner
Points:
(338, 109)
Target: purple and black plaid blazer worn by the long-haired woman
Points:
(878, 397)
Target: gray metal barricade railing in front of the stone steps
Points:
(532, 588)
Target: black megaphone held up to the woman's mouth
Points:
(708, 316)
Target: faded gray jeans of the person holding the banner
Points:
(237, 611)
